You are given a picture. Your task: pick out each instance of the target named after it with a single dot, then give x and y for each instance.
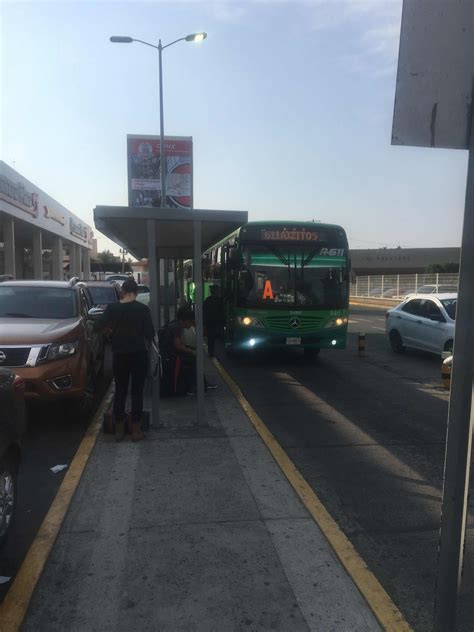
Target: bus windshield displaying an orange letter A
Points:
(289, 278)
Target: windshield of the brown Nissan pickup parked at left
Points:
(37, 302)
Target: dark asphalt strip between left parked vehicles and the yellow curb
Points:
(52, 438)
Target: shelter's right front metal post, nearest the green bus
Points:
(199, 322)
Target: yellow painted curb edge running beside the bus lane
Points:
(385, 611)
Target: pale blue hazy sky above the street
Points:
(289, 104)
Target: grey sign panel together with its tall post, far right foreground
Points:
(434, 107)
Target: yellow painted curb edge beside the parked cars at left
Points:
(14, 606)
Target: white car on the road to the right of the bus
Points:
(423, 321)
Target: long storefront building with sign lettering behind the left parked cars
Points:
(38, 236)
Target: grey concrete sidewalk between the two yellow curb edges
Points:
(192, 529)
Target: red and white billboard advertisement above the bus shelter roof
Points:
(144, 171)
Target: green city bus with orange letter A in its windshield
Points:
(283, 284)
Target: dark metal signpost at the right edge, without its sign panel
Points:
(460, 422)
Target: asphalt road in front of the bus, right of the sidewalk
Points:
(368, 434)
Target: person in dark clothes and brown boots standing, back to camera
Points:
(131, 334)
